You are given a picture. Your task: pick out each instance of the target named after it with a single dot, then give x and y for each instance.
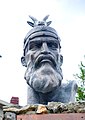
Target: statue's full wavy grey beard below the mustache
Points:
(43, 79)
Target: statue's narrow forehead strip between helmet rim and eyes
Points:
(44, 39)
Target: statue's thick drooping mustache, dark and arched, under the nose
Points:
(43, 58)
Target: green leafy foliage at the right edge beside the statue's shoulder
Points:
(81, 88)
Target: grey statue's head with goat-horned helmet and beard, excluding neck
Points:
(42, 57)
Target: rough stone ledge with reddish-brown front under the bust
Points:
(52, 111)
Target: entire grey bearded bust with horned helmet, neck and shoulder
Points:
(43, 60)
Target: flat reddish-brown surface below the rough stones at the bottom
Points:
(69, 116)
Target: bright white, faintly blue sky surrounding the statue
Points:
(68, 18)
